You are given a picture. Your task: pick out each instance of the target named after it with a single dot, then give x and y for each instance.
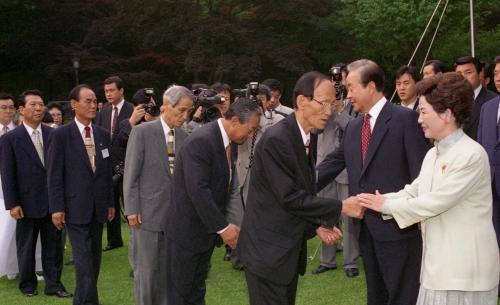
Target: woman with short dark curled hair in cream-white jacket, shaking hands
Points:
(451, 199)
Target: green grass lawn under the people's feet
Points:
(225, 286)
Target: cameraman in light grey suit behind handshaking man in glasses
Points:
(328, 140)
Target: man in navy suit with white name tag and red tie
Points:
(80, 189)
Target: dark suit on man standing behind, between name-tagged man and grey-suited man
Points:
(117, 151)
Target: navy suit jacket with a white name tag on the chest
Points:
(73, 187)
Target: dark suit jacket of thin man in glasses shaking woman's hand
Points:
(282, 210)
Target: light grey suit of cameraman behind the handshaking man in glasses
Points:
(328, 141)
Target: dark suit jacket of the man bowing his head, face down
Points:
(201, 190)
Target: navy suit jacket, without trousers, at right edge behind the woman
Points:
(488, 138)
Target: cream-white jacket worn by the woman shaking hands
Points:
(452, 199)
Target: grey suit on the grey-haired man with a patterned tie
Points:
(147, 191)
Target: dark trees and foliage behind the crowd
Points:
(153, 43)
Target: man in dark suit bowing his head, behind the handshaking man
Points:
(196, 218)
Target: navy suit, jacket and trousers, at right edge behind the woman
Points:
(488, 137)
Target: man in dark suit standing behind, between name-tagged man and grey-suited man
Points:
(110, 118)
